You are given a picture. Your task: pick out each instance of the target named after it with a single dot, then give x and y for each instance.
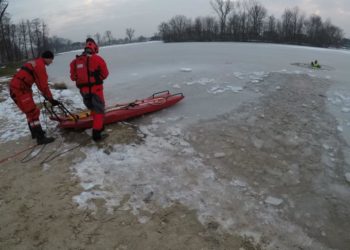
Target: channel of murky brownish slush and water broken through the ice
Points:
(286, 145)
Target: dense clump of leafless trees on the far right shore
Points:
(248, 20)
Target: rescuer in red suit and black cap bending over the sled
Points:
(21, 92)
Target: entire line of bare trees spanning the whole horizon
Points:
(245, 20)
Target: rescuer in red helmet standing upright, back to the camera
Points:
(89, 70)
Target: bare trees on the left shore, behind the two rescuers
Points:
(29, 38)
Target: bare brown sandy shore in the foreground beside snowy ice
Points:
(37, 211)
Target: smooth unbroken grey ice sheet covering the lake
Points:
(209, 74)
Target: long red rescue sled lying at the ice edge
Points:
(116, 113)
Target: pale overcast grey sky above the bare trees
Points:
(74, 19)
